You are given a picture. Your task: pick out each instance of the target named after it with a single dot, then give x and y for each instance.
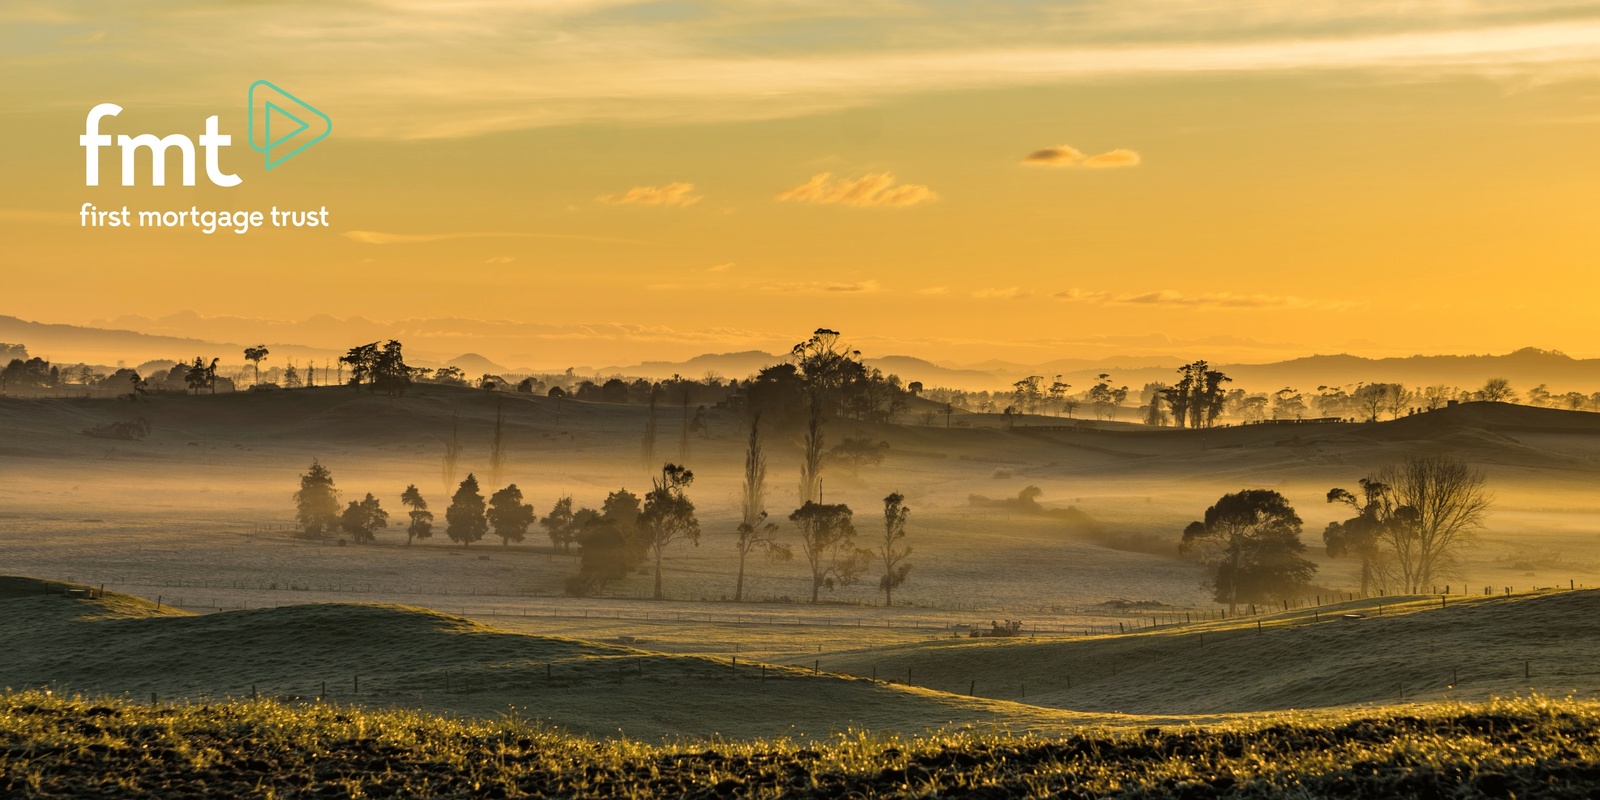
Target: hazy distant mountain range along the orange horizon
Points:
(1524, 369)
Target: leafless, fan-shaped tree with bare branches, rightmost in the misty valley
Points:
(1447, 503)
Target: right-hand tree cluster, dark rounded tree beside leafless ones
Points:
(1410, 524)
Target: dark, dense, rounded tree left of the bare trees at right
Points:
(1252, 543)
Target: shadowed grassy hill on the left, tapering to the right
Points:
(383, 657)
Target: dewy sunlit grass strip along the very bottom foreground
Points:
(54, 746)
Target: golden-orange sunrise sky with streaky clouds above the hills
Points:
(607, 182)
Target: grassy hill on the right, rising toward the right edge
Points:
(1401, 649)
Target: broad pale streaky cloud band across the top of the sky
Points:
(412, 70)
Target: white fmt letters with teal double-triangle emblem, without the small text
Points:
(266, 111)
